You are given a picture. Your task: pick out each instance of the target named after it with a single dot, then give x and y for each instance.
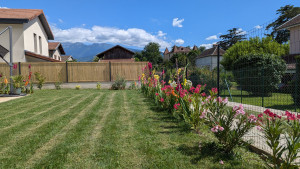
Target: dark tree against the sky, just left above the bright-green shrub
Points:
(234, 35)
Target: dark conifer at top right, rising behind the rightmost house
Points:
(285, 13)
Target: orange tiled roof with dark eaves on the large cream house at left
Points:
(20, 16)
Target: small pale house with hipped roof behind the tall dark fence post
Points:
(209, 57)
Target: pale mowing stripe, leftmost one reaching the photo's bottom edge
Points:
(59, 137)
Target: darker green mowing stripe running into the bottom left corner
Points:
(28, 145)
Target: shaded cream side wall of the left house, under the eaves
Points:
(18, 42)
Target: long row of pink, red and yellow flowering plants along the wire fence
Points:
(229, 125)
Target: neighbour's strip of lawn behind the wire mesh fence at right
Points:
(280, 101)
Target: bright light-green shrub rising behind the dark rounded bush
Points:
(254, 45)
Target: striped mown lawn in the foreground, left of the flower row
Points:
(103, 129)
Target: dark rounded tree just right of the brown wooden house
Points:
(152, 54)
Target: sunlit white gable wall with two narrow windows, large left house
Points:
(35, 26)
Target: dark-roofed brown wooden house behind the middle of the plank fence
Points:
(116, 54)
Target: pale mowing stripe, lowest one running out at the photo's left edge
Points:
(14, 139)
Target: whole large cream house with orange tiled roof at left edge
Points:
(31, 33)
